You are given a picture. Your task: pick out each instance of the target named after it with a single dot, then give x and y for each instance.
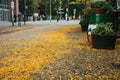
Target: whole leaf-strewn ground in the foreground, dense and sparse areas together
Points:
(61, 54)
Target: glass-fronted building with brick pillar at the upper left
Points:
(5, 9)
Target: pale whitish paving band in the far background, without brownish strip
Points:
(46, 22)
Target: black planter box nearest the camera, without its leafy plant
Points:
(103, 42)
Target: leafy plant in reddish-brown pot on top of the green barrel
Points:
(101, 7)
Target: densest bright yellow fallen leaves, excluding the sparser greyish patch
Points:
(18, 59)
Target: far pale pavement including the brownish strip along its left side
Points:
(6, 27)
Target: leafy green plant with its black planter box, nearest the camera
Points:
(103, 36)
